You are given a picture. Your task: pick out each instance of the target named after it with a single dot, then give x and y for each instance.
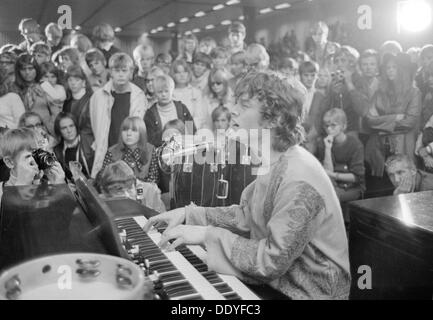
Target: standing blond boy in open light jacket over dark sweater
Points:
(111, 104)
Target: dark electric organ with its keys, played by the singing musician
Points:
(48, 219)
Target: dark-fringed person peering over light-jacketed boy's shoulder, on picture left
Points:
(96, 62)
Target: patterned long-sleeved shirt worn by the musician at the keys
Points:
(280, 232)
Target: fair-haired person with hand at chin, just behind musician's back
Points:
(342, 156)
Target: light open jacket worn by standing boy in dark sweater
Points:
(100, 106)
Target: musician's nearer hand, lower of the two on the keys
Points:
(183, 234)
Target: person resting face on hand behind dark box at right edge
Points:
(405, 177)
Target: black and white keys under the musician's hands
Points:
(183, 272)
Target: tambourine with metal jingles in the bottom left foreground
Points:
(75, 276)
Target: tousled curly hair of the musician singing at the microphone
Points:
(281, 104)
